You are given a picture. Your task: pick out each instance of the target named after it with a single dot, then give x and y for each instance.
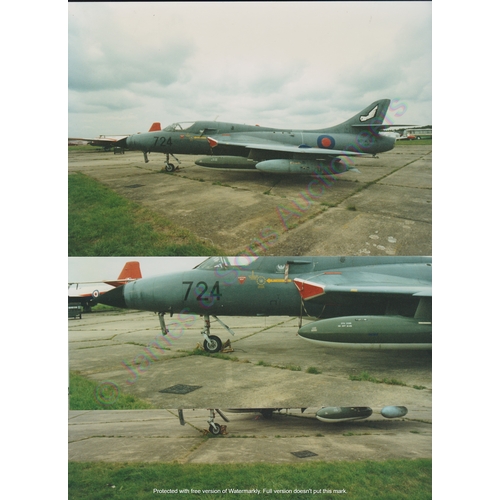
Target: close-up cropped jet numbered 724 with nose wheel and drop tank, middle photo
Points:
(366, 302)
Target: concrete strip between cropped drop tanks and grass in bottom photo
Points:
(293, 437)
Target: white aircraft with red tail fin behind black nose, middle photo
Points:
(86, 295)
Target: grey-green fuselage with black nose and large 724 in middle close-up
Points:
(264, 286)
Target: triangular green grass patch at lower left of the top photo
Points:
(100, 222)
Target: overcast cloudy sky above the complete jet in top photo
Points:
(279, 64)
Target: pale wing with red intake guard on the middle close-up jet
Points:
(329, 284)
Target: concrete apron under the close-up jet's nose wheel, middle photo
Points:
(270, 366)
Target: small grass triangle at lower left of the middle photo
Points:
(85, 394)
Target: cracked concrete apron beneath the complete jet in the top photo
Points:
(384, 210)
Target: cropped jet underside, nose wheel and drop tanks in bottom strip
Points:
(330, 414)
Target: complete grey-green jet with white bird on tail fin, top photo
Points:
(282, 151)
